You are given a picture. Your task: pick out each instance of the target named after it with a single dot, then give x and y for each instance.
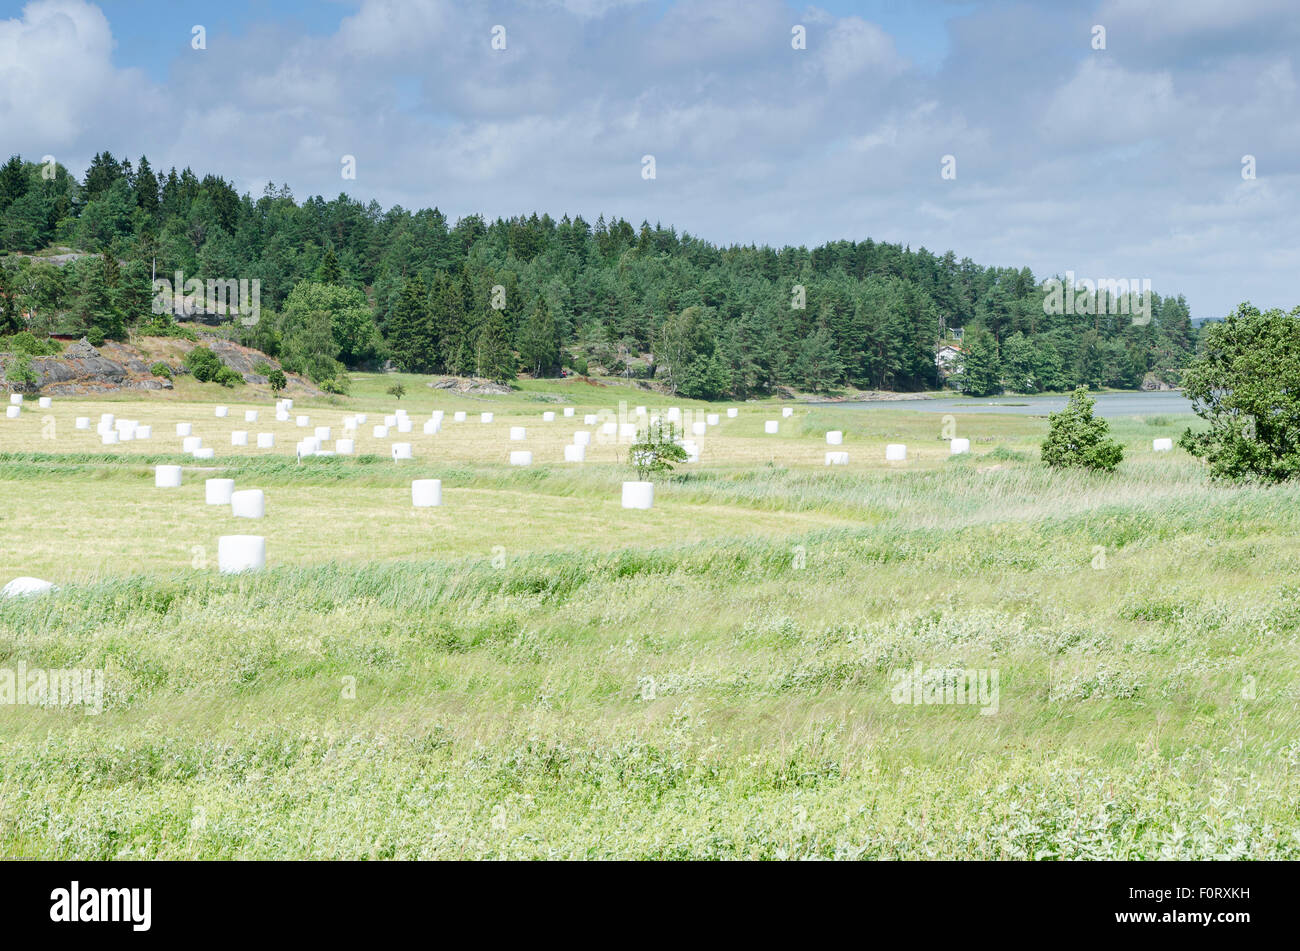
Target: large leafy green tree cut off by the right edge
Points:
(1247, 387)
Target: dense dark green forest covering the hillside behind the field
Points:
(346, 285)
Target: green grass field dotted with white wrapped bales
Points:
(534, 672)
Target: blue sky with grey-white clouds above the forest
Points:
(1123, 163)
